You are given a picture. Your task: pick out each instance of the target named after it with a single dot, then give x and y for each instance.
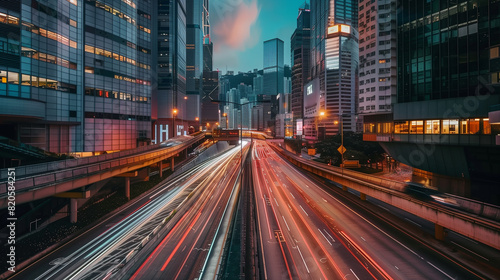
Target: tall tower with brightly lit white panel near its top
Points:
(334, 62)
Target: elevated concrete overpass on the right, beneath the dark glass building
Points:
(478, 221)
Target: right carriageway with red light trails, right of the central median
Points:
(335, 240)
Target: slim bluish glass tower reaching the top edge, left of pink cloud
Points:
(194, 59)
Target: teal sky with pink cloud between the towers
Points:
(239, 28)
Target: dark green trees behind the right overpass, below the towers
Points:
(357, 149)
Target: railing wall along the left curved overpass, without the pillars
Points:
(47, 174)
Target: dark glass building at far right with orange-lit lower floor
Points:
(447, 111)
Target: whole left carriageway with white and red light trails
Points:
(96, 252)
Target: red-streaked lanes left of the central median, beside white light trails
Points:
(183, 252)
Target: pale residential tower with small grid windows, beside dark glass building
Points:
(377, 58)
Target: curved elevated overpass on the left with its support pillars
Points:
(65, 177)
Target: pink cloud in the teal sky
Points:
(234, 30)
